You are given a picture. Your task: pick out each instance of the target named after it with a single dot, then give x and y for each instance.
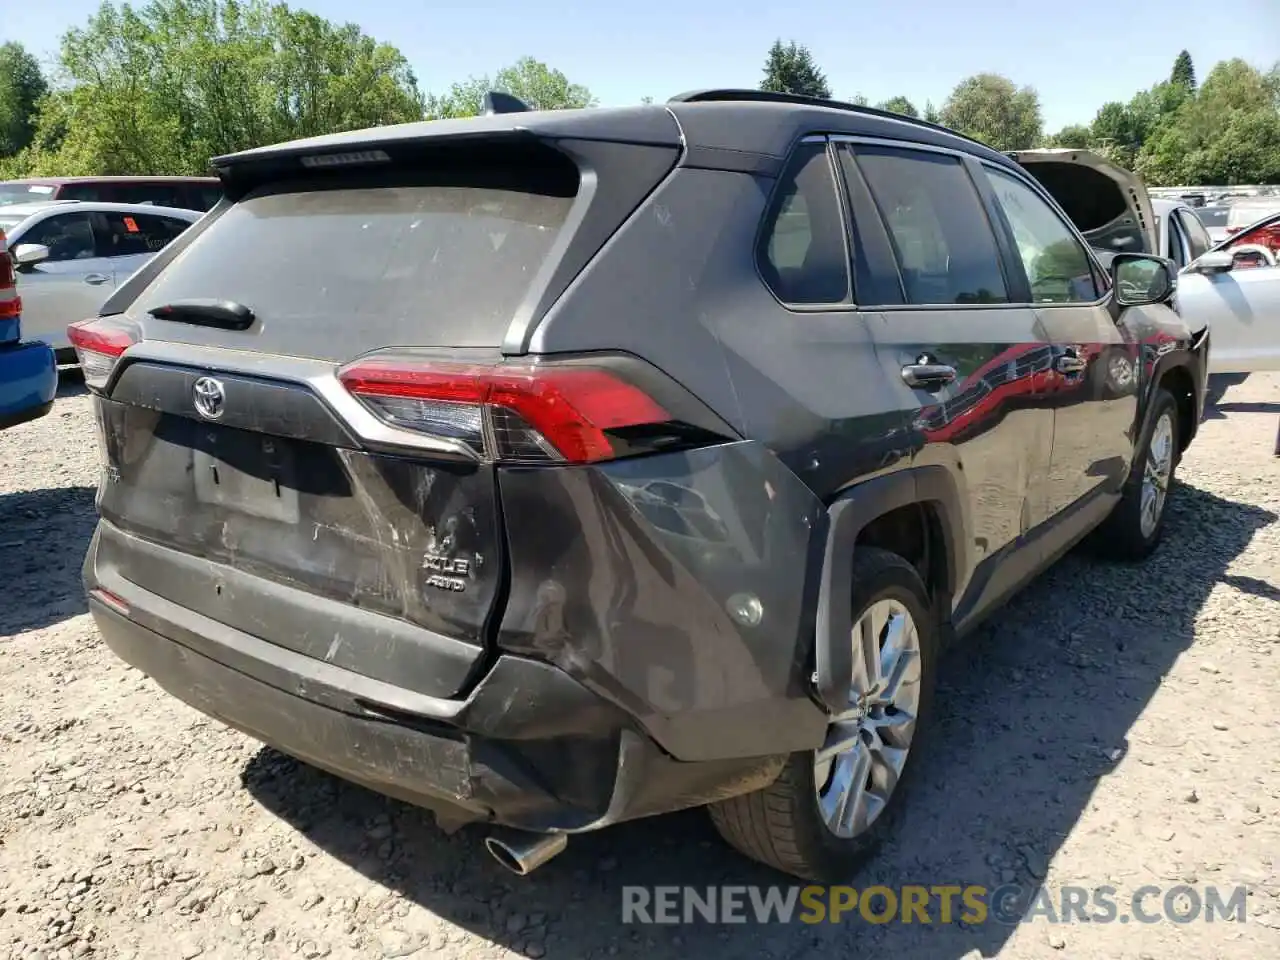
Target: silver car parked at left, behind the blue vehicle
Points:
(72, 255)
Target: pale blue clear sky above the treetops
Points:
(1077, 54)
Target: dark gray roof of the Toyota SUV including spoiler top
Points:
(743, 124)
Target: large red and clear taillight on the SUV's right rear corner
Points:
(533, 412)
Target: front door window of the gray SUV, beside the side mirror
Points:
(1057, 264)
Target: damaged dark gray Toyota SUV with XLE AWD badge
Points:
(550, 470)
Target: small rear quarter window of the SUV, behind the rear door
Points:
(802, 250)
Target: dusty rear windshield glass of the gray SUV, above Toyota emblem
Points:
(340, 271)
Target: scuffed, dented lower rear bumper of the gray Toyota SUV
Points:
(529, 748)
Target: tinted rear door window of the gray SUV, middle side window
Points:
(945, 246)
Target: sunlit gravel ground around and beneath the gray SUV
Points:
(1113, 726)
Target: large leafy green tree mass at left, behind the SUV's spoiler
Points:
(164, 88)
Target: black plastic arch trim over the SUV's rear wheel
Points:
(930, 487)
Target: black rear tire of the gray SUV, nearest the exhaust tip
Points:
(781, 826)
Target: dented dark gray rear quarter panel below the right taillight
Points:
(628, 575)
